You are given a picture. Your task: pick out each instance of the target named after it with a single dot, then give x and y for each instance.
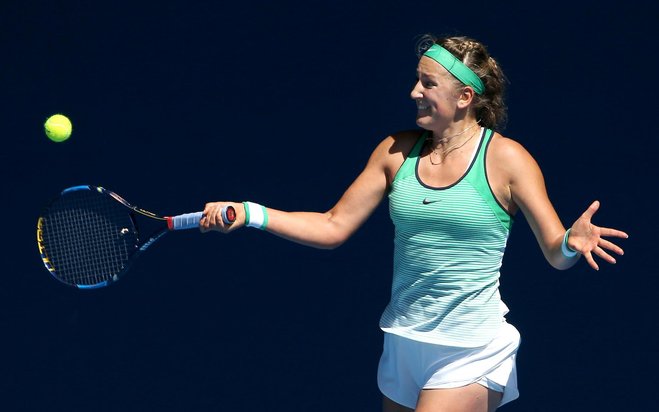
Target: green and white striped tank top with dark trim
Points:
(448, 248)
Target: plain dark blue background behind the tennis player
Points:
(176, 103)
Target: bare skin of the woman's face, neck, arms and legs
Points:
(444, 108)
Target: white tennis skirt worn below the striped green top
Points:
(407, 366)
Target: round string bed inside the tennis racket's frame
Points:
(88, 238)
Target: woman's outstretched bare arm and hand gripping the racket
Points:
(321, 230)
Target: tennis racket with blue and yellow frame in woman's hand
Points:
(88, 236)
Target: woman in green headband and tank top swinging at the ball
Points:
(453, 188)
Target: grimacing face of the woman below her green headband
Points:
(435, 94)
